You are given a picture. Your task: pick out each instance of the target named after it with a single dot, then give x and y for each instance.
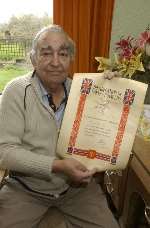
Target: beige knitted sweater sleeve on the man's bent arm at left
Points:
(13, 154)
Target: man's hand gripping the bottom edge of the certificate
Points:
(75, 170)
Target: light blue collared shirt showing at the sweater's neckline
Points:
(60, 110)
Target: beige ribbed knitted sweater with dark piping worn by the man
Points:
(28, 135)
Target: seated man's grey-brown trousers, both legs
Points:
(81, 207)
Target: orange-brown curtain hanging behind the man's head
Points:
(88, 22)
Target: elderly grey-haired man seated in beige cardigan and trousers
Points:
(31, 112)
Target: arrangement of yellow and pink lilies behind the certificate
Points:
(130, 55)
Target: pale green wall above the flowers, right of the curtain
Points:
(131, 17)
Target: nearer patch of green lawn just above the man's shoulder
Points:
(10, 72)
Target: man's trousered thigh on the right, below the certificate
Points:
(87, 207)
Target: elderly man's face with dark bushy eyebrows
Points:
(53, 59)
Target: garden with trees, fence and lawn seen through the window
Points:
(15, 45)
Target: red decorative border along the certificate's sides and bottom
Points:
(92, 154)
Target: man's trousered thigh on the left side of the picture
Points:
(19, 209)
